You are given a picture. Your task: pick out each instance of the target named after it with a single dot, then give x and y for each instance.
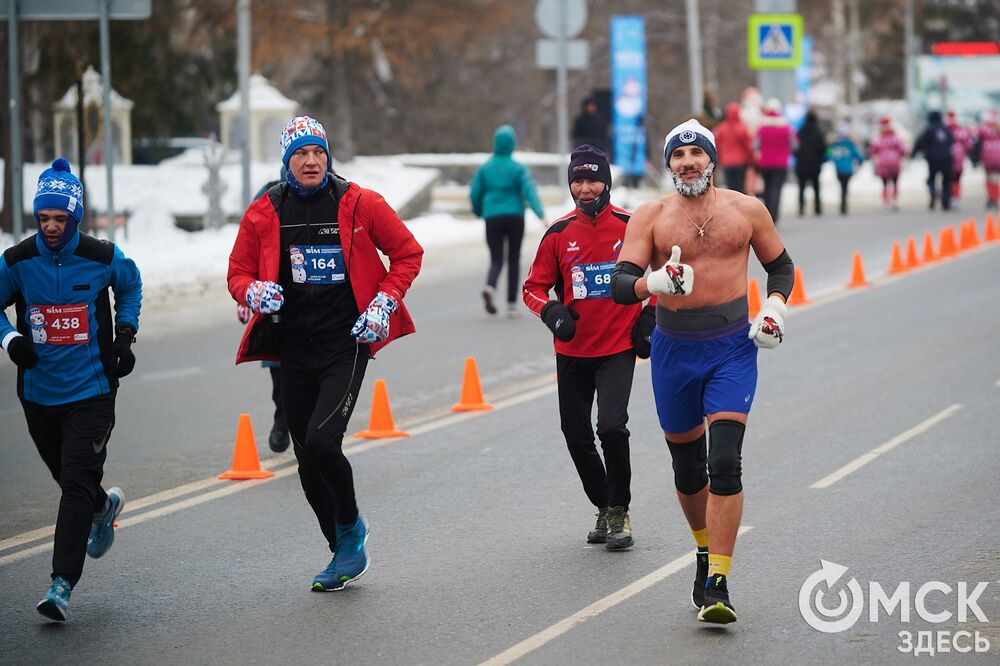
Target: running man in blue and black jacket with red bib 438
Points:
(69, 364)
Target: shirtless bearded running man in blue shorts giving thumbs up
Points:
(704, 351)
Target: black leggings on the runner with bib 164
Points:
(319, 392)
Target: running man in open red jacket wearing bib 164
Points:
(306, 263)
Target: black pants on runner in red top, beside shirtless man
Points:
(606, 483)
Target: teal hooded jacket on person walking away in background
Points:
(503, 186)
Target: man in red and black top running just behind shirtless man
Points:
(596, 340)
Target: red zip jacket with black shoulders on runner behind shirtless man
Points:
(575, 258)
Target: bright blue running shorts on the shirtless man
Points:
(695, 374)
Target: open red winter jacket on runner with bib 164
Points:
(367, 224)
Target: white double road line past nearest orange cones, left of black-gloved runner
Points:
(281, 465)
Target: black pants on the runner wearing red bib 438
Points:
(72, 440)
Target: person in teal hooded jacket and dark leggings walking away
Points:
(500, 190)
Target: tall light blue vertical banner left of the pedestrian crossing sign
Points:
(628, 91)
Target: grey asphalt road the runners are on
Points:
(478, 522)
